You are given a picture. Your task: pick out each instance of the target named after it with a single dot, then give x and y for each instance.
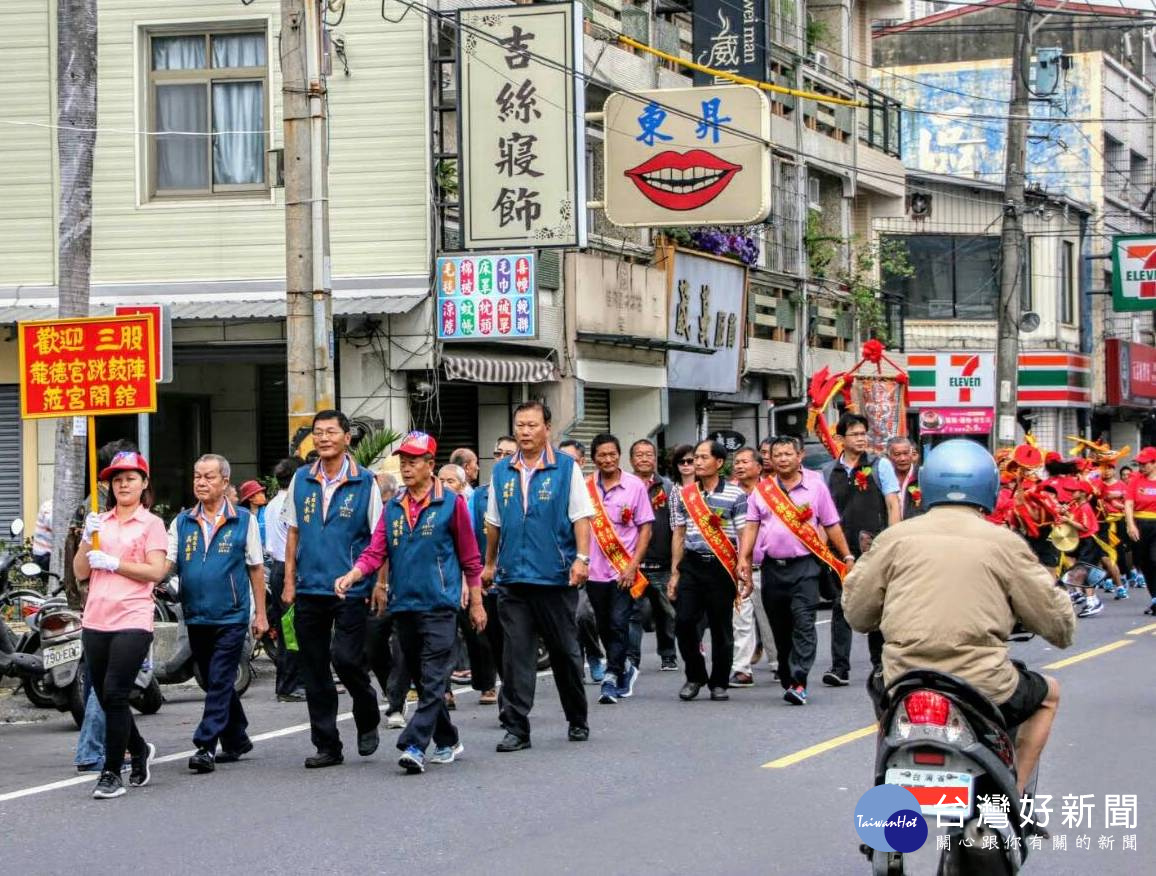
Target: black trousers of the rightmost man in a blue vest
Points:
(529, 611)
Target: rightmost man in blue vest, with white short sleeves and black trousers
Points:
(538, 553)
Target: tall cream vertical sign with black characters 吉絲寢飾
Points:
(522, 128)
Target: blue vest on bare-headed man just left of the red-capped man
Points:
(329, 546)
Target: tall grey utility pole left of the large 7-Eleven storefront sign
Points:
(1012, 242)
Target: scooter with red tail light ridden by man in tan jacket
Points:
(947, 744)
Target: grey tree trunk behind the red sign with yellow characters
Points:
(76, 144)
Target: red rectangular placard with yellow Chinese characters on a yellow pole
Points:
(87, 367)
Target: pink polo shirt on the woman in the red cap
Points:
(116, 603)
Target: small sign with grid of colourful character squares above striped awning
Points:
(490, 298)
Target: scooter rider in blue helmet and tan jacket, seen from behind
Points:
(947, 589)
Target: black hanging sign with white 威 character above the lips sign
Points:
(730, 36)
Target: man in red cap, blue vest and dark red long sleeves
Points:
(427, 537)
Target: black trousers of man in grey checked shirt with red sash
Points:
(706, 590)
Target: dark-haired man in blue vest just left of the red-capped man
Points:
(332, 511)
